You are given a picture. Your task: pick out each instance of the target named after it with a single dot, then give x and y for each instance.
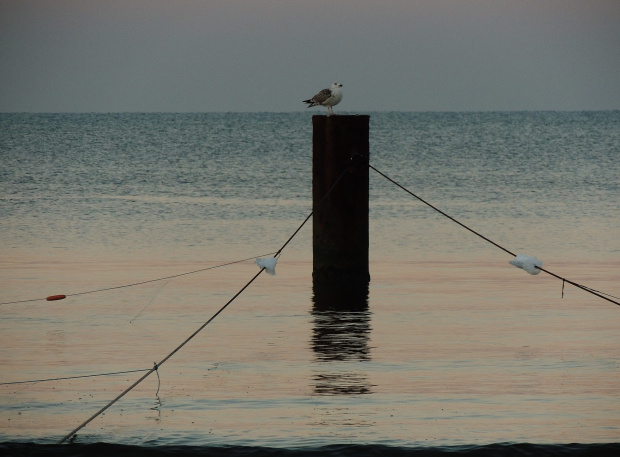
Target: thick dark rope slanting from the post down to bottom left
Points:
(188, 339)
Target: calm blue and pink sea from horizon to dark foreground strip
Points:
(453, 350)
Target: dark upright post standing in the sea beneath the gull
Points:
(340, 220)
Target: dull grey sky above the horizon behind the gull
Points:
(269, 55)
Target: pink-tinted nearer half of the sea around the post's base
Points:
(450, 352)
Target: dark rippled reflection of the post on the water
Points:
(340, 338)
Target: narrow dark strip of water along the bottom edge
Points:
(119, 450)
